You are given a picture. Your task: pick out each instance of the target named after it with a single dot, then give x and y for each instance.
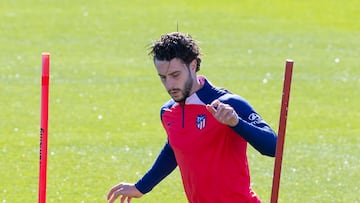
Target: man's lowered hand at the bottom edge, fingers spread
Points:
(124, 190)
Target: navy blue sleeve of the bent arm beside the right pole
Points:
(251, 126)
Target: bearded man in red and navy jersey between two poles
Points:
(208, 129)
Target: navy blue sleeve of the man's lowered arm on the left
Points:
(163, 166)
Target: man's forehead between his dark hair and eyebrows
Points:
(168, 67)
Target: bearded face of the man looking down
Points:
(178, 79)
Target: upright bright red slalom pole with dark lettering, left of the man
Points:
(44, 125)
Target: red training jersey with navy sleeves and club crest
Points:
(211, 156)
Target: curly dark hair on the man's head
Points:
(176, 45)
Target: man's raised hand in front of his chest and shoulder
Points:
(224, 113)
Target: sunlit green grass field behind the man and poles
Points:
(105, 95)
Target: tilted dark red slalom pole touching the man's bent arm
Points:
(282, 130)
